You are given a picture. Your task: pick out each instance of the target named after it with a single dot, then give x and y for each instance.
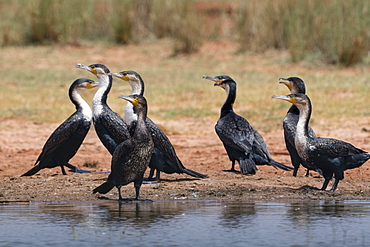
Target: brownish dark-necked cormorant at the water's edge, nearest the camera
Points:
(131, 157)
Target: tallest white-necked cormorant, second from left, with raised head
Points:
(109, 126)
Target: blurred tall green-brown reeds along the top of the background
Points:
(332, 31)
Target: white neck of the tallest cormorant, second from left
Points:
(100, 97)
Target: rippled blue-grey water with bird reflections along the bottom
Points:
(186, 223)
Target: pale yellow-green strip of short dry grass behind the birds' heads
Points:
(35, 83)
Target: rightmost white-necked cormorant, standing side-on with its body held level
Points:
(329, 155)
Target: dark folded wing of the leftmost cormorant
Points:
(60, 135)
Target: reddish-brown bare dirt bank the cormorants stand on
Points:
(197, 146)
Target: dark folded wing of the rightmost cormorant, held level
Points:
(333, 147)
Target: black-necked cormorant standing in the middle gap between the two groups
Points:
(242, 142)
